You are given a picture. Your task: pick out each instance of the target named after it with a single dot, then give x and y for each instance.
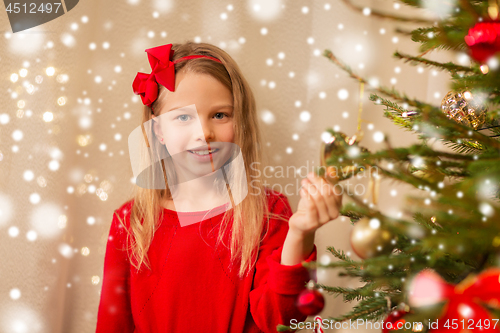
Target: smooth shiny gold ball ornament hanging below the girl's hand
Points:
(369, 238)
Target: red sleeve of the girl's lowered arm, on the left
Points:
(115, 314)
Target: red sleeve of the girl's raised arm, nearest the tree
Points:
(276, 286)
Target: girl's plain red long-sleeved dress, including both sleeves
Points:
(190, 287)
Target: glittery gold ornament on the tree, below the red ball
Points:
(462, 107)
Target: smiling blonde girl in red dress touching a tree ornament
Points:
(164, 276)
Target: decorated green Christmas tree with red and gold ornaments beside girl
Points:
(437, 270)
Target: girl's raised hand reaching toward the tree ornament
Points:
(319, 203)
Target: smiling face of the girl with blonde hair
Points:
(196, 117)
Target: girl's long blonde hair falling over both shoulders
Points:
(250, 216)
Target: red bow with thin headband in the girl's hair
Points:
(163, 72)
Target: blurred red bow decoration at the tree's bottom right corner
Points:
(464, 301)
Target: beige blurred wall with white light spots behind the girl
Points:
(67, 108)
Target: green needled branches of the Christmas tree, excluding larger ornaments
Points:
(451, 232)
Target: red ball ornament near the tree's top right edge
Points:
(484, 40)
